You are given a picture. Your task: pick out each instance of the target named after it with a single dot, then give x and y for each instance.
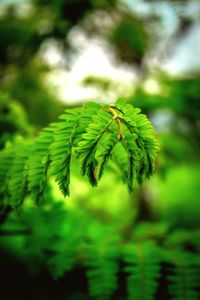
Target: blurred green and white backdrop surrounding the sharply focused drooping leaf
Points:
(61, 53)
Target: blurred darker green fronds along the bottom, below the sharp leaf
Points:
(153, 253)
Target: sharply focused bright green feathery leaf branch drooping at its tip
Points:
(90, 134)
